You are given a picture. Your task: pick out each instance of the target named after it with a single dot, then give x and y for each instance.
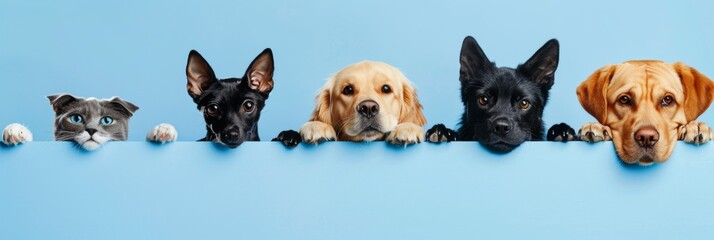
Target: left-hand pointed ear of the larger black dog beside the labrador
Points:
(474, 62)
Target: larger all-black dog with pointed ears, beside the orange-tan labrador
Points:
(503, 106)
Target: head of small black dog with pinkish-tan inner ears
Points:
(231, 106)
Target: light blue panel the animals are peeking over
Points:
(137, 190)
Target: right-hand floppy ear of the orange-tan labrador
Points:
(698, 90)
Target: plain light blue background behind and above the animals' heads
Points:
(138, 50)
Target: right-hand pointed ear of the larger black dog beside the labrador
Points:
(541, 67)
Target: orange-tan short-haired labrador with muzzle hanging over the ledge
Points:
(644, 107)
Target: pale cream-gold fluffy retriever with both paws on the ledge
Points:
(366, 101)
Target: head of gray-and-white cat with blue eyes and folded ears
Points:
(91, 122)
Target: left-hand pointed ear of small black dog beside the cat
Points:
(199, 74)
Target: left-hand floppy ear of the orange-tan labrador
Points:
(592, 92)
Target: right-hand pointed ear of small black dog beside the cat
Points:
(259, 75)
